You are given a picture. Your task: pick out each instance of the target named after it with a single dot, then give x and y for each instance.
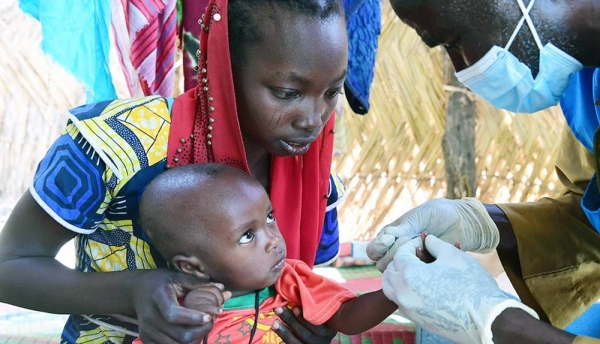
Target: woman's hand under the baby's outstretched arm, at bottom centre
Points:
(297, 330)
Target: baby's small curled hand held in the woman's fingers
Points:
(208, 299)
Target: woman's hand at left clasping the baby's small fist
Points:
(162, 319)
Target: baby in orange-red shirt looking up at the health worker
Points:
(217, 221)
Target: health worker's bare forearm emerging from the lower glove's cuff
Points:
(516, 326)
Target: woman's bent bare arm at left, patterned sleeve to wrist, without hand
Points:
(30, 276)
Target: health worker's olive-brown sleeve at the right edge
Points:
(554, 239)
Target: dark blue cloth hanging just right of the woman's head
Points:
(364, 26)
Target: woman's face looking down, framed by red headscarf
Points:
(289, 83)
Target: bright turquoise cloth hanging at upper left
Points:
(75, 35)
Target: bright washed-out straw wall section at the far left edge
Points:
(33, 94)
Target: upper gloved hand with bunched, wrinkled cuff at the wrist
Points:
(464, 221)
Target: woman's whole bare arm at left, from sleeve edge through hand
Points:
(30, 277)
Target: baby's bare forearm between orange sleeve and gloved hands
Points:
(363, 313)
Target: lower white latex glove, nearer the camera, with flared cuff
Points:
(454, 296)
